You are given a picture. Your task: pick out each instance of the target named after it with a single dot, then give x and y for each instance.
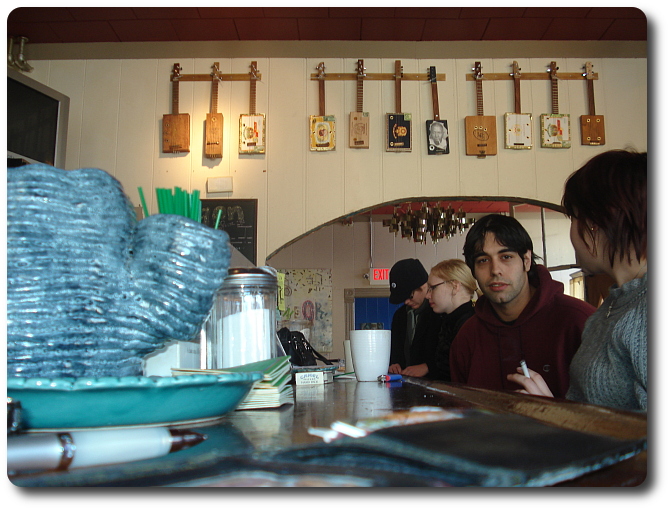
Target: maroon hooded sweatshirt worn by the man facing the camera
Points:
(546, 335)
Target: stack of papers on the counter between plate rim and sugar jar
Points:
(273, 390)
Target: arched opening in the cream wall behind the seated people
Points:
(347, 249)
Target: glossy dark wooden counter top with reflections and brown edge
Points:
(237, 445)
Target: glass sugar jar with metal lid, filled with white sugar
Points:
(241, 326)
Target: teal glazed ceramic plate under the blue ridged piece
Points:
(70, 403)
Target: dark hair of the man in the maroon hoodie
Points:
(507, 231)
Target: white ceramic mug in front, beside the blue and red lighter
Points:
(371, 352)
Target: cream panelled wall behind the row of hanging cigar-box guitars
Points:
(117, 107)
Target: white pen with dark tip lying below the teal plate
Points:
(48, 451)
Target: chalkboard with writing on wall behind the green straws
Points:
(238, 219)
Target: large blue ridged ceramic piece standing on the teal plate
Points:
(90, 290)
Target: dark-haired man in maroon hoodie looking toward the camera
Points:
(522, 315)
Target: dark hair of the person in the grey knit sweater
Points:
(610, 192)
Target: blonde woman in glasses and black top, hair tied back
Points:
(451, 289)
